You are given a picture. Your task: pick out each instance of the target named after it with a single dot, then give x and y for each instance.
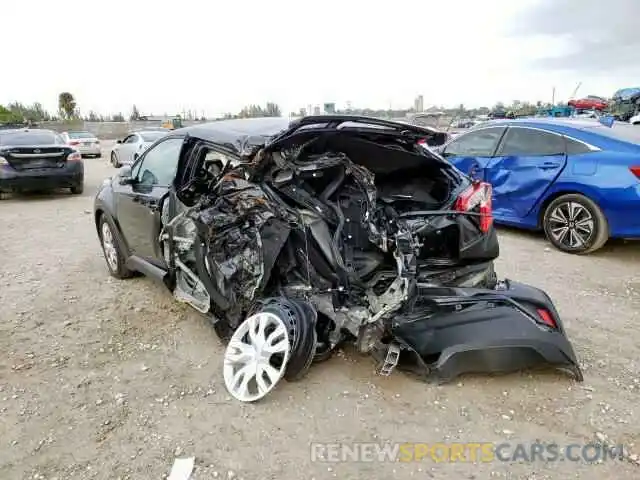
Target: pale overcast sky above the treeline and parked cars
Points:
(216, 57)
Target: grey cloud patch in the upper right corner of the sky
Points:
(600, 36)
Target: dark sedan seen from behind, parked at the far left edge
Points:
(34, 159)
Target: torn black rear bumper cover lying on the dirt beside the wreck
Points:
(470, 330)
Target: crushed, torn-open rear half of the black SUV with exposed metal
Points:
(343, 236)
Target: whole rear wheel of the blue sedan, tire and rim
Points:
(585, 233)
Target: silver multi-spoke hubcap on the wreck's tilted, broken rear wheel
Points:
(256, 357)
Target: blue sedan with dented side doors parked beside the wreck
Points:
(578, 180)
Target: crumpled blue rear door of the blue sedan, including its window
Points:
(527, 162)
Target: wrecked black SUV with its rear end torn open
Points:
(294, 237)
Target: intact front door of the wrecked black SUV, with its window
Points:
(138, 205)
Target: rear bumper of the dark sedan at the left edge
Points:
(68, 176)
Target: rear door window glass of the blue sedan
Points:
(530, 142)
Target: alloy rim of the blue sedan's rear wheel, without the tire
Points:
(571, 224)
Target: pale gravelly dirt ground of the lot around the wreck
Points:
(111, 380)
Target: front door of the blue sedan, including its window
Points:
(472, 151)
